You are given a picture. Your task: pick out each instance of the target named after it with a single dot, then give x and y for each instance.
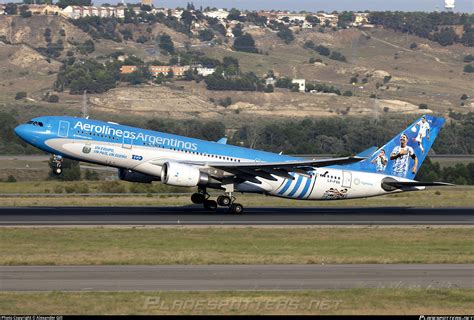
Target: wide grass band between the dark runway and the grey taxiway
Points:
(248, 245)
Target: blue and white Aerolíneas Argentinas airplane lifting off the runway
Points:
(146, 156)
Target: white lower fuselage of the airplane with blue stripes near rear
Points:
(326, 183)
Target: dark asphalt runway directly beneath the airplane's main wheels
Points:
(195, 215)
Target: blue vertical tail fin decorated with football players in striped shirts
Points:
(403, 155)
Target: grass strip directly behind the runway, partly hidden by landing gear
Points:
(459, 196)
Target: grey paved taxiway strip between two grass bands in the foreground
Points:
(235, 277)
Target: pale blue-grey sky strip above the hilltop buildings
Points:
(315, 5)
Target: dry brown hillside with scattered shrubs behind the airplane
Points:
(429, 74)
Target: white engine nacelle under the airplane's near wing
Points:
(182, 175)
